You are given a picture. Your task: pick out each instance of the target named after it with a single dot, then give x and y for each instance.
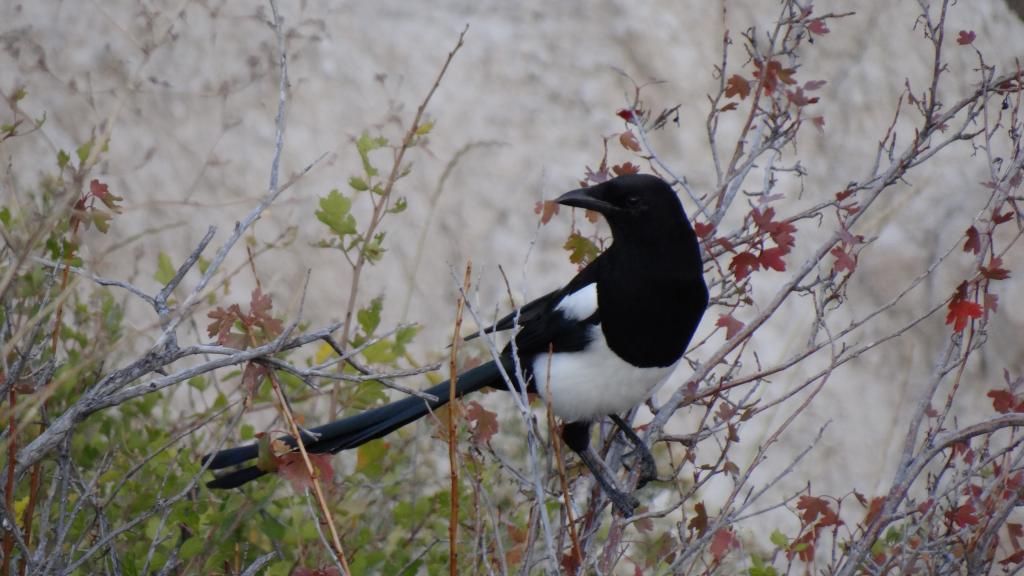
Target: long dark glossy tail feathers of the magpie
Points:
(361, 429)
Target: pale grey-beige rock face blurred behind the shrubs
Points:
(521, 114)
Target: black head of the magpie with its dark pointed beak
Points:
(635, 205)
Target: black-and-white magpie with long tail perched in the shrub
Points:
(599, 347)
